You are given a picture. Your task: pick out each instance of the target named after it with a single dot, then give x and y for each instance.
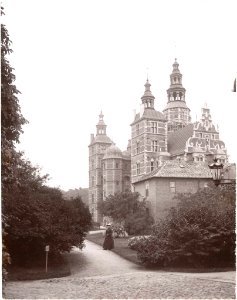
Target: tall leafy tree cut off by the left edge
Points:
(11, 127)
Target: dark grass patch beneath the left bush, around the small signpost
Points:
(37, 271)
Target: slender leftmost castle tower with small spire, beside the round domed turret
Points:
(97, 148)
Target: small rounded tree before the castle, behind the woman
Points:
(127, 209)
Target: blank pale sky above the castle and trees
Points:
(74, 58)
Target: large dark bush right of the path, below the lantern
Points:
(199, 232)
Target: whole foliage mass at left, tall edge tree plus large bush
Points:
(34, 215)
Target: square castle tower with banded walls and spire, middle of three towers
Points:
(149, 137)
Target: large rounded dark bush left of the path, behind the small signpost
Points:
(43, 218)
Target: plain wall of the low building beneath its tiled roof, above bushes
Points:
(161, 192)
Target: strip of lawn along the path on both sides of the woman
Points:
(120, 246)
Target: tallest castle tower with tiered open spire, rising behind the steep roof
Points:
(176, 112)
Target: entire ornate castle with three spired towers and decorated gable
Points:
(167, 153)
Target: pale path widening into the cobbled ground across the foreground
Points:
(100, 274)
